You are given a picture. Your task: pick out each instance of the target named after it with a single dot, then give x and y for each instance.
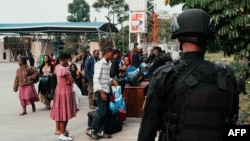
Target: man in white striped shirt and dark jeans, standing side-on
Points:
(102, 82)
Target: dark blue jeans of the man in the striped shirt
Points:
(102, 113)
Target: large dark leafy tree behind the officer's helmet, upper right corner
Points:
(232, 19)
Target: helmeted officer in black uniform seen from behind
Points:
(191, 99)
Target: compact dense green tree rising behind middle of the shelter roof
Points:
(79, 11)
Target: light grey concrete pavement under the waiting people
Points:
(38, 126)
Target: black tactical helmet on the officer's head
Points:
(193, 21)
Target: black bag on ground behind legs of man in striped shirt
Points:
(113, 125)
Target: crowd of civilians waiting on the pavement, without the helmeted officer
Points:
(60, 80)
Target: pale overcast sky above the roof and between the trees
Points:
(30, 11)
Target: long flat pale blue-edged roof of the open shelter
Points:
(57, 27)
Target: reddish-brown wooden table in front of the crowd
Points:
(134, 98)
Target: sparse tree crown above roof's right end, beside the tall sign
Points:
(116, 8)
